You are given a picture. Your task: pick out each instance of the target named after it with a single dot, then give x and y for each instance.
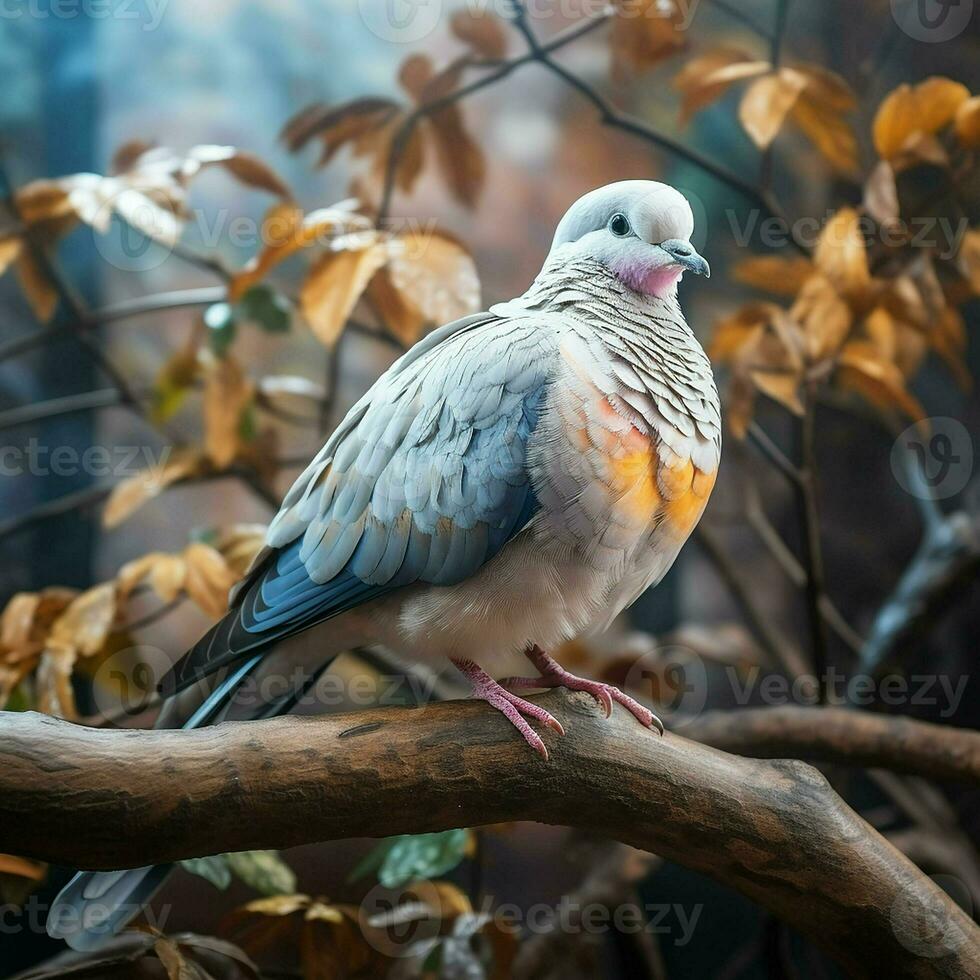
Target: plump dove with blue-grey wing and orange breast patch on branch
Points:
(514, 481)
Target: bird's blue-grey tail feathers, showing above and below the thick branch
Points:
(95, 905)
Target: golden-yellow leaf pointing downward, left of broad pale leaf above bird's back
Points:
(336, 282)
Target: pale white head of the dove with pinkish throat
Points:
(638, 229)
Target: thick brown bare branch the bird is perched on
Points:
(773, 830)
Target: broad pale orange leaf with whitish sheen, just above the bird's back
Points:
(429, 279)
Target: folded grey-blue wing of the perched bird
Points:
(424, 481)
